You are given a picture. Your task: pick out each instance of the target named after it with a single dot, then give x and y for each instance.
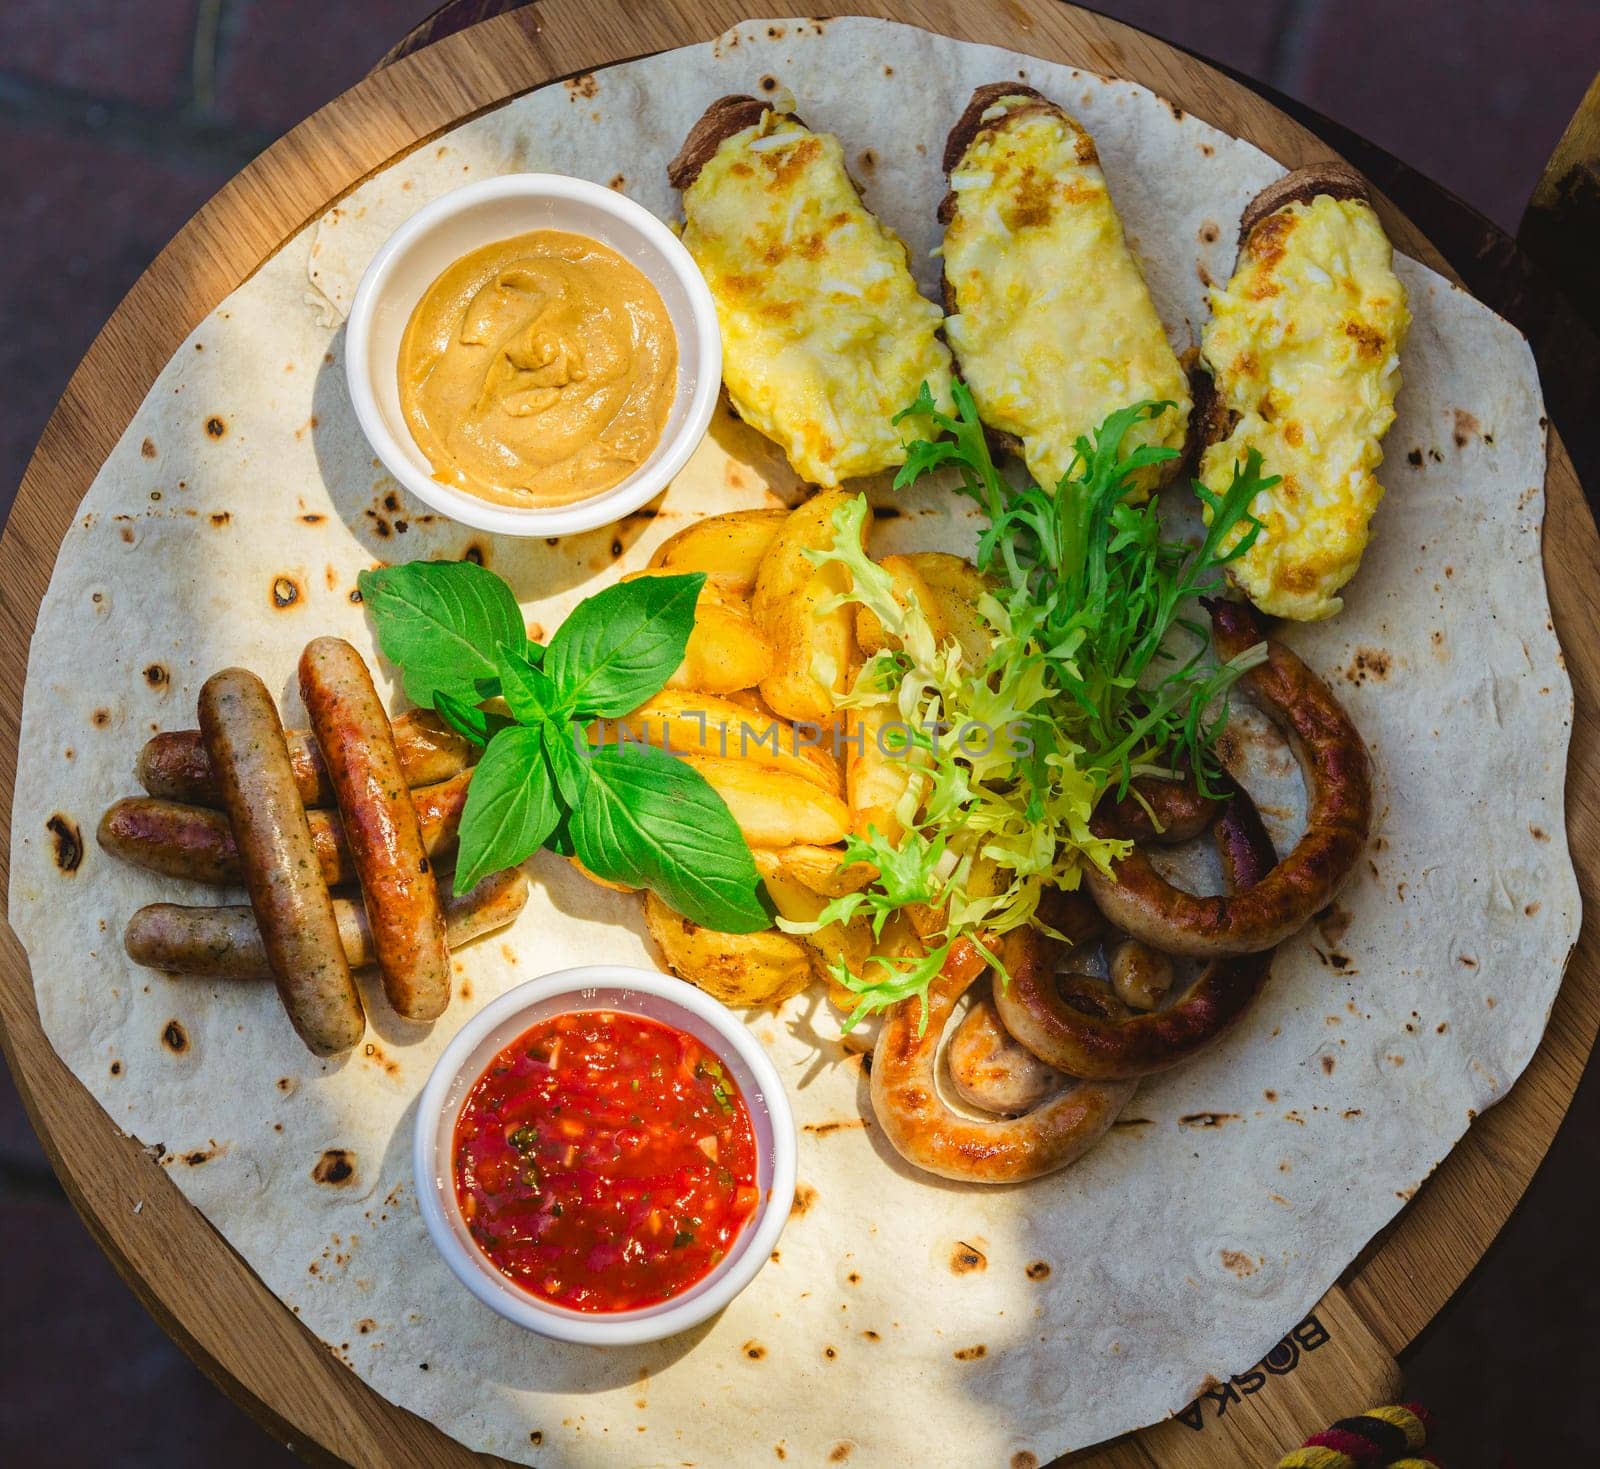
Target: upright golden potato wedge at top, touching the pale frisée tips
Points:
(788, 601)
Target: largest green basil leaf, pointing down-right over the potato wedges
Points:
(649, 820)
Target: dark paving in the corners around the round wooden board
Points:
(121, 118)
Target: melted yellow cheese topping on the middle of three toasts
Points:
(1055, 327)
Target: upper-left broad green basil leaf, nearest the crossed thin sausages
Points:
(441, 623)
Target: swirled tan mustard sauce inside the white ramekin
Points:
(538, 370)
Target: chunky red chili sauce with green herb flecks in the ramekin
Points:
(606, 1163)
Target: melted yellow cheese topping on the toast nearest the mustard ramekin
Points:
(823, 330)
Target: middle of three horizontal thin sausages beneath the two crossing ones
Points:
(198, 846)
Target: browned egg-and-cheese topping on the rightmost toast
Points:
(1305, 345)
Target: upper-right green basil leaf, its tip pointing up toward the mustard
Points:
(622, 646)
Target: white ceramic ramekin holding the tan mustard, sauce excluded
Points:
(482, 214)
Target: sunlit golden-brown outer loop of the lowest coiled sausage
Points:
(927, 1132)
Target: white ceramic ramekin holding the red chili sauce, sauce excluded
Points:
(634, 993)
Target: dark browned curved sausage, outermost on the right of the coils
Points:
(1338, 820)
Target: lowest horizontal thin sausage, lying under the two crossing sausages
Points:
(225, 943)
